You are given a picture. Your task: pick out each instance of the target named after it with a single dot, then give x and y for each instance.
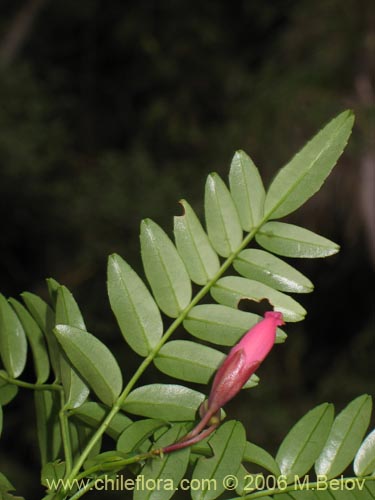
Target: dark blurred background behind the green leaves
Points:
(111, 111)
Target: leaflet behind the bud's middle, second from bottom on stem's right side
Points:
(192, 362)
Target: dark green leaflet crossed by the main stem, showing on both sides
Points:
(93, 414)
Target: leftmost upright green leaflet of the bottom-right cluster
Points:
(304, 442)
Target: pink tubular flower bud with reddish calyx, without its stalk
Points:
(242, 361)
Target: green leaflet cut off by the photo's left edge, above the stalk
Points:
(13, 345)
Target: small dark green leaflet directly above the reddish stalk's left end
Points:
(134, 436)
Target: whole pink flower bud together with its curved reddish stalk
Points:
(242, 361)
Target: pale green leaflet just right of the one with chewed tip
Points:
(222, 220)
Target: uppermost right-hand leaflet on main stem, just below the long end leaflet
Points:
(294, 241)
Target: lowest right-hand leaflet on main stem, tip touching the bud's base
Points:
(168, 401)
